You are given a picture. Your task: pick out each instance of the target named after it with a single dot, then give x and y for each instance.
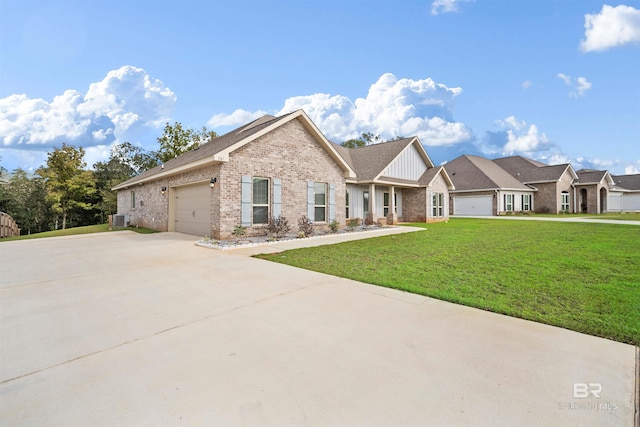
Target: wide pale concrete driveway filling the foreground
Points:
(123, 329)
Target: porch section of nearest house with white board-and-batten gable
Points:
(395, 181)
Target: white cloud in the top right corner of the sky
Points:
(613, 26)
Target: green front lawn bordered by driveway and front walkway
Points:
(580, 276)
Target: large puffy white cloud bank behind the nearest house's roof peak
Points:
(393, 107)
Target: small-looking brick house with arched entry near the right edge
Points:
(592, 190)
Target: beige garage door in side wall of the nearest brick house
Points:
(192, 209)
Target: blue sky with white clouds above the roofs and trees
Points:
(554, 80)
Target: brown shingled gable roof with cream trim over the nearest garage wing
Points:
(218, 149)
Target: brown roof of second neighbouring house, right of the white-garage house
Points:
(530, 171)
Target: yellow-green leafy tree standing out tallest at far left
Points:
(69, 186)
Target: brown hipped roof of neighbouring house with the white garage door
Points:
(475, 173)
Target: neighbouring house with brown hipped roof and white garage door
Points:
(484, 188)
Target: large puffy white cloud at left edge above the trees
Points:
(124, 99)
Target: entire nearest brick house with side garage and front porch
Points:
(282, 166)
